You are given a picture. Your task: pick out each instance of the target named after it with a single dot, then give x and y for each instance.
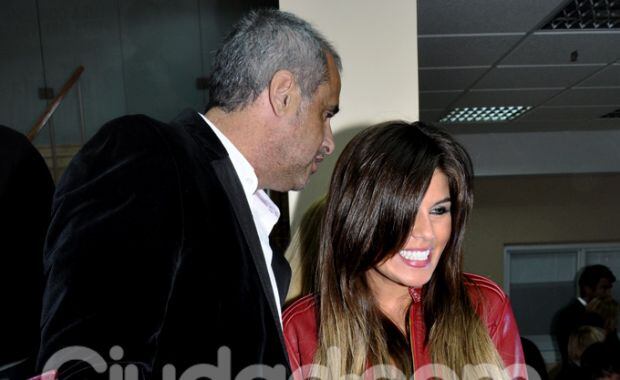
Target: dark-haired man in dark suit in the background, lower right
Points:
(594, 281)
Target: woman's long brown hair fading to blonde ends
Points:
(375, 191)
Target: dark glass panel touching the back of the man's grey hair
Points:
(161, 56)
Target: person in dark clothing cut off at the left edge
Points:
(26, 190)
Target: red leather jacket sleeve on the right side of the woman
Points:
(508, 341)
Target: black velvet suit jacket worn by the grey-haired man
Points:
(152, 247)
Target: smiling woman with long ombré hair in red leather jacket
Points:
(391, 287)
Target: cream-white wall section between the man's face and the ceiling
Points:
(377, 42)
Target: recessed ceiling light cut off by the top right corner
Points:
(587, 14)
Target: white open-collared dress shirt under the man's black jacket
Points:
(264, 212)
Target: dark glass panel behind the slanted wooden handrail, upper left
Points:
(91, 39)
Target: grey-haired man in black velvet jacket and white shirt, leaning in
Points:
(158, 252)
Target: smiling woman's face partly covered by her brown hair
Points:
(413, 266)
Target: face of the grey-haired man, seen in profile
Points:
(309, 138)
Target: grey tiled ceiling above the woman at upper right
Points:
(480, 53)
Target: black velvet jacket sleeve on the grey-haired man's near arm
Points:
(111, 251)
